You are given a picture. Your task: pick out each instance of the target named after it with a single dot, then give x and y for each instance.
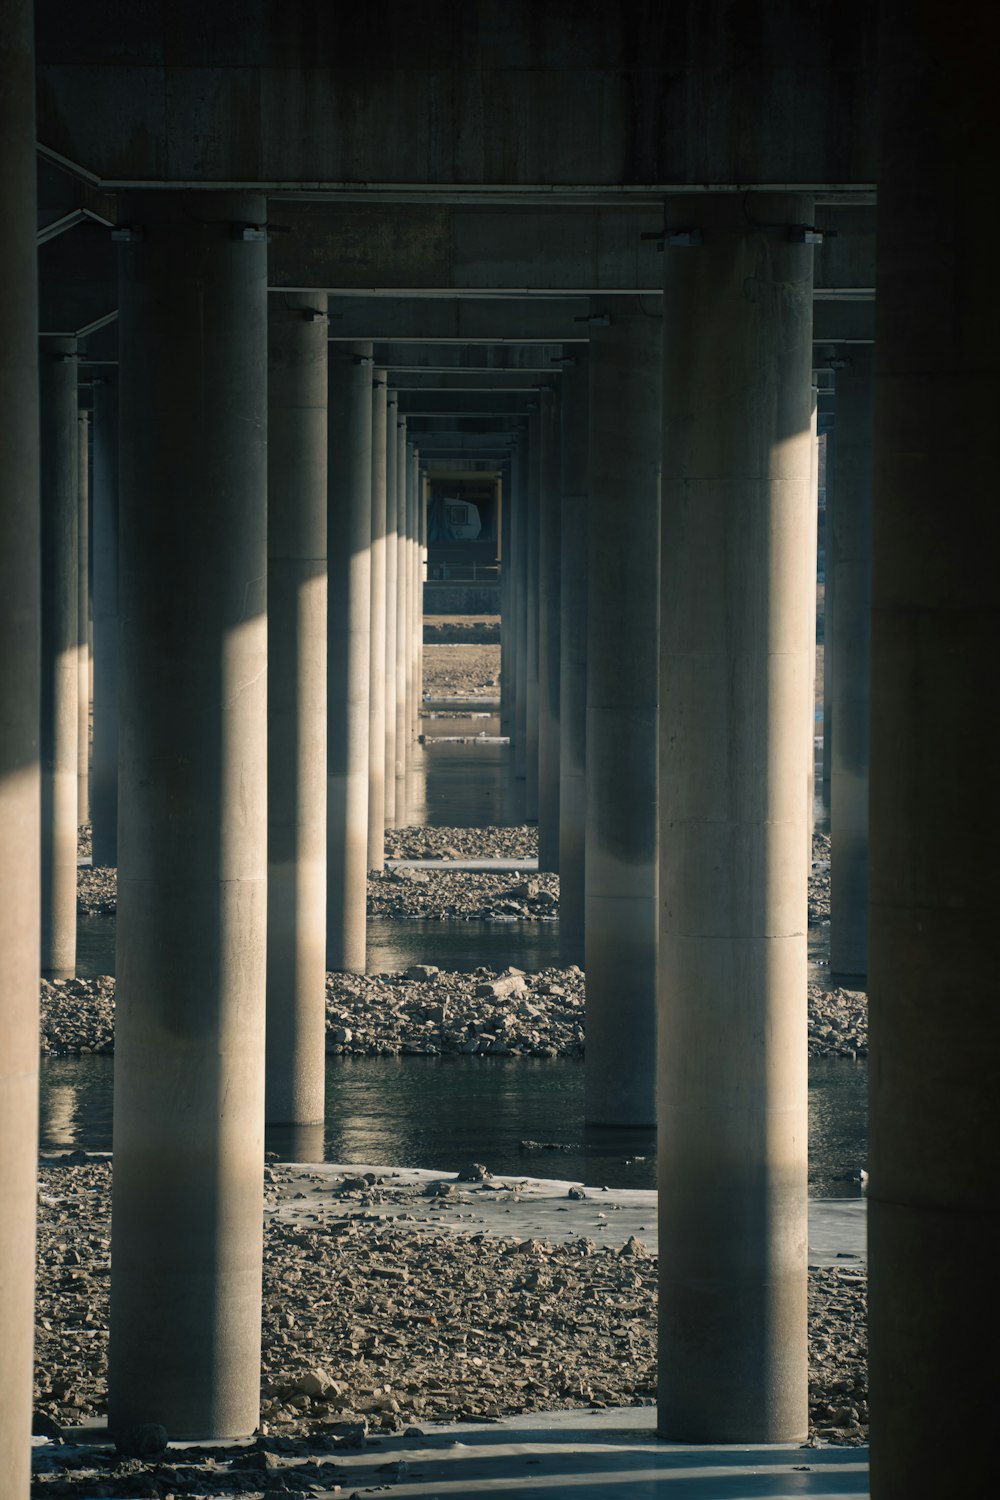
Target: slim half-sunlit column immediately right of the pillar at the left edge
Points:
(61, 667)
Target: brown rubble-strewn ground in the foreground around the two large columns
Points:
(376, 1322)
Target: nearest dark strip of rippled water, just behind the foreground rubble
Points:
(445, 1112)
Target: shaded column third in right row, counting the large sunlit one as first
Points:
(573, 451)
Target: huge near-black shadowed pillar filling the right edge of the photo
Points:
(935, 1106)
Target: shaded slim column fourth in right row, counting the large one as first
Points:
(549, 581)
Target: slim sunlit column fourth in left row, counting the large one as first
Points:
(377, 644)
